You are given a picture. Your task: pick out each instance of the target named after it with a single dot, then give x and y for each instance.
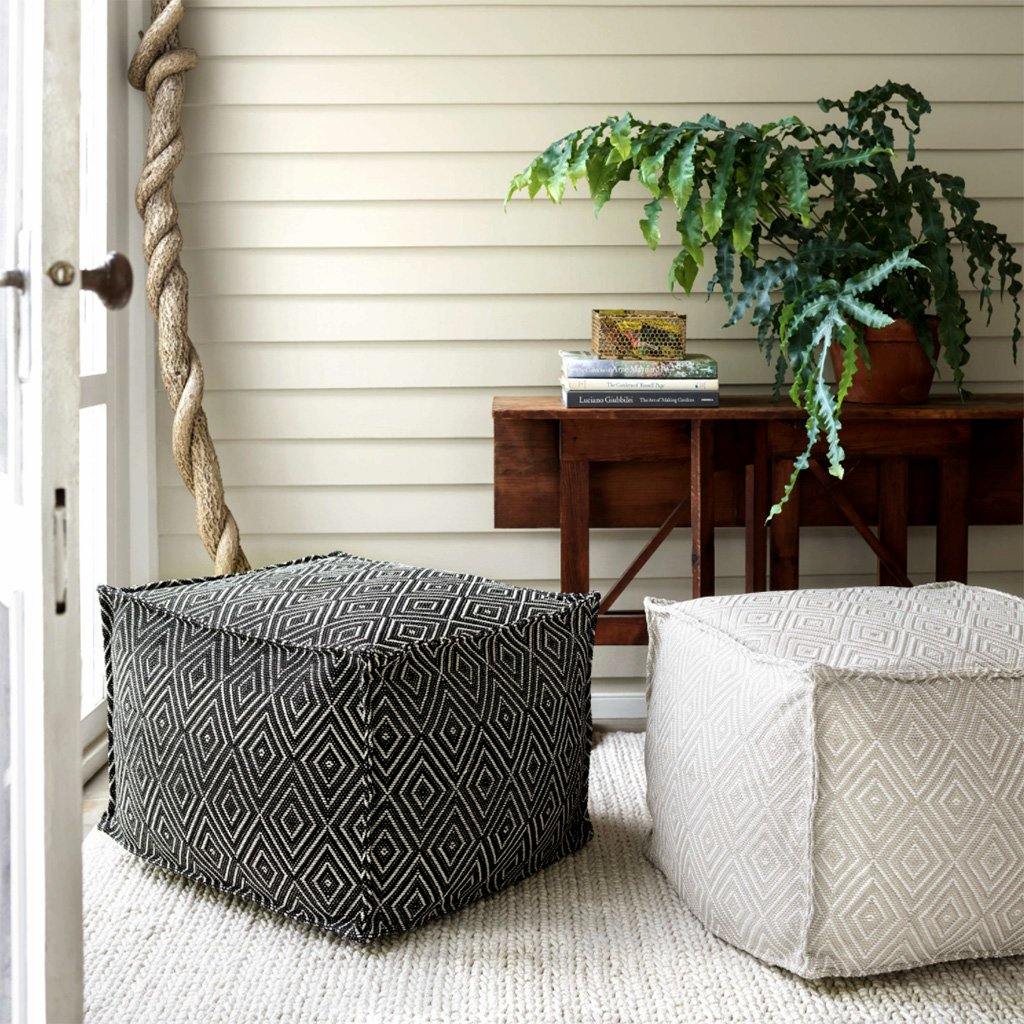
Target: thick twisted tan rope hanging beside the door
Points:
(159, 68)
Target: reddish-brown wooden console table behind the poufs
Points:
(948, 463)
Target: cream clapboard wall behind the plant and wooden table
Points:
(360, 296)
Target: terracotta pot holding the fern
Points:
(901, 373)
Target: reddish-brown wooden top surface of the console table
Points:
(1005, 406)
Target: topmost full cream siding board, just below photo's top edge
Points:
(522, 30)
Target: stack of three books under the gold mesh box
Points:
(589, 382)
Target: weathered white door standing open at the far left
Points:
(47, 386)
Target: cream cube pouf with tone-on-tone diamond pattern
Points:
(836, 778)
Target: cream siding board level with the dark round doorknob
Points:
(452, 272)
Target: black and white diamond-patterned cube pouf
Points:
(357, 745)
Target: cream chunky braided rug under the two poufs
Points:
(600, 937)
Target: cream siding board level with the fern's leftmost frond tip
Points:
(333, 178)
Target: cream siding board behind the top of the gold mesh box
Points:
(459, 318)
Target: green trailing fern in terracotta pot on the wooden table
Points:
(837, 248)
